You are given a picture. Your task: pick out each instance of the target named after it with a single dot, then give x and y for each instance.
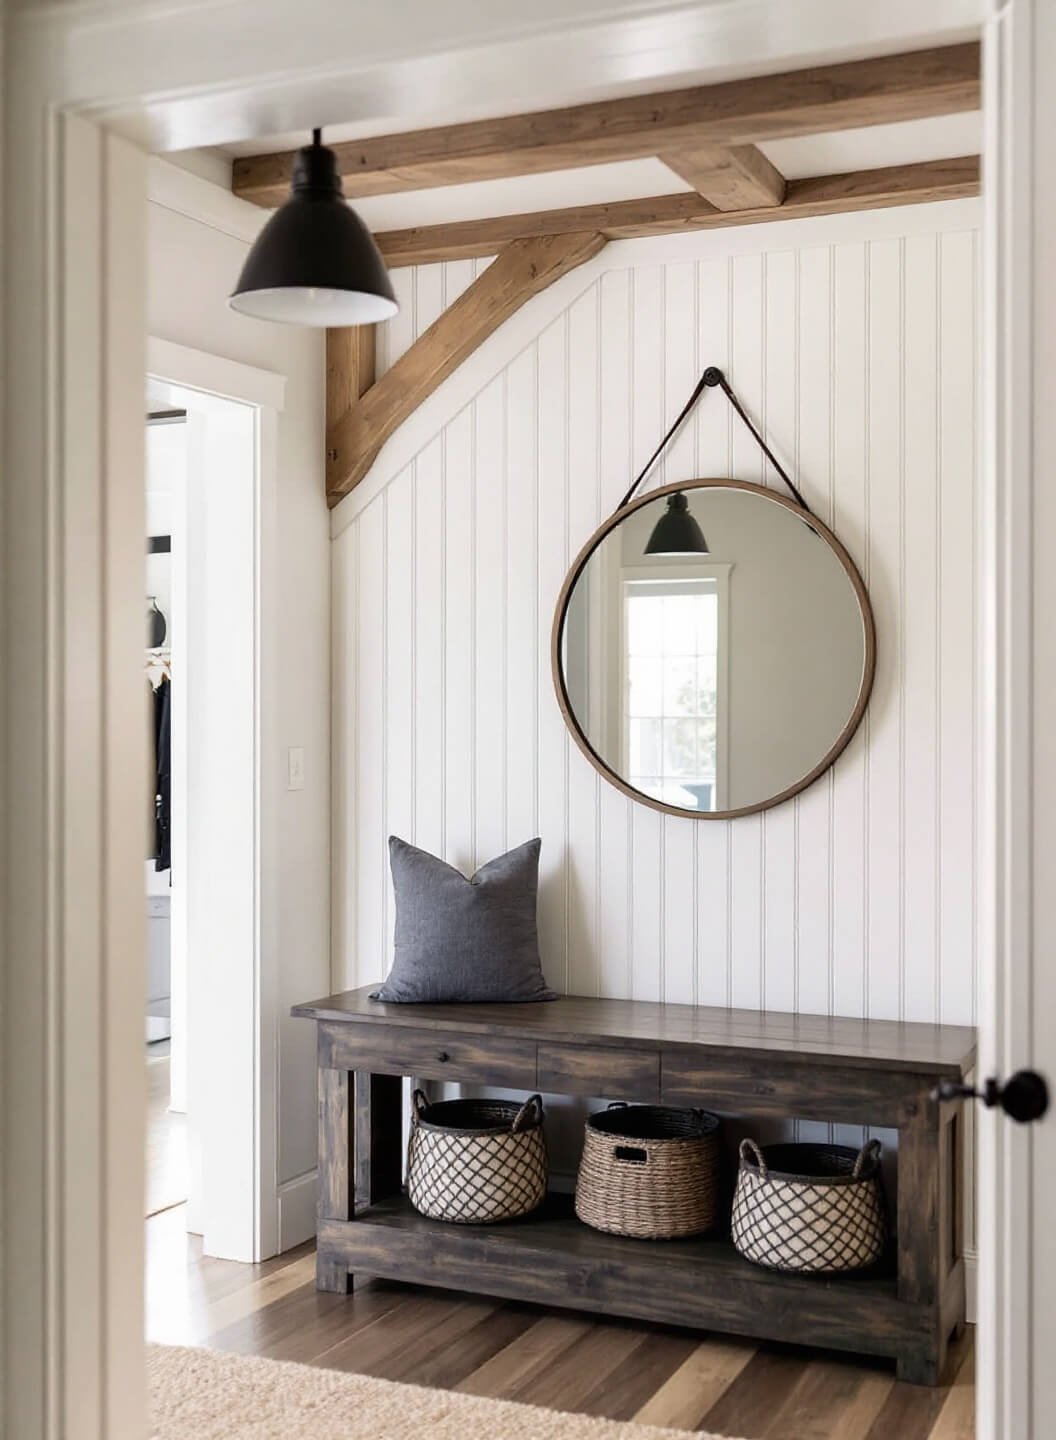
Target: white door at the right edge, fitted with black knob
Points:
(1018, 862)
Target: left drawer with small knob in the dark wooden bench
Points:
(433, 1055)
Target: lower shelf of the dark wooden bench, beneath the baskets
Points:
(704, 1284)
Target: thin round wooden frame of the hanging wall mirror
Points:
(868, 670)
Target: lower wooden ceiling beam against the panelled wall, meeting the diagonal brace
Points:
(662, 215)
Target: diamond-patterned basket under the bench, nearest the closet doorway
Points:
(475, 1163)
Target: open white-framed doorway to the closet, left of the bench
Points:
(211, 1153)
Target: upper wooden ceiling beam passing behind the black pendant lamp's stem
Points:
(737, 113)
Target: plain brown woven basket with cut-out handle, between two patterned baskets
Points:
(650, 1171)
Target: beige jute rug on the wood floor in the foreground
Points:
(200, 1395)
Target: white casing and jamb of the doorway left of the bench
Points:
(225, 680)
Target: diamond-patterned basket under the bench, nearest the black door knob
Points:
(816, 1209)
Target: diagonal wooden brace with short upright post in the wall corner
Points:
(358, 430)
